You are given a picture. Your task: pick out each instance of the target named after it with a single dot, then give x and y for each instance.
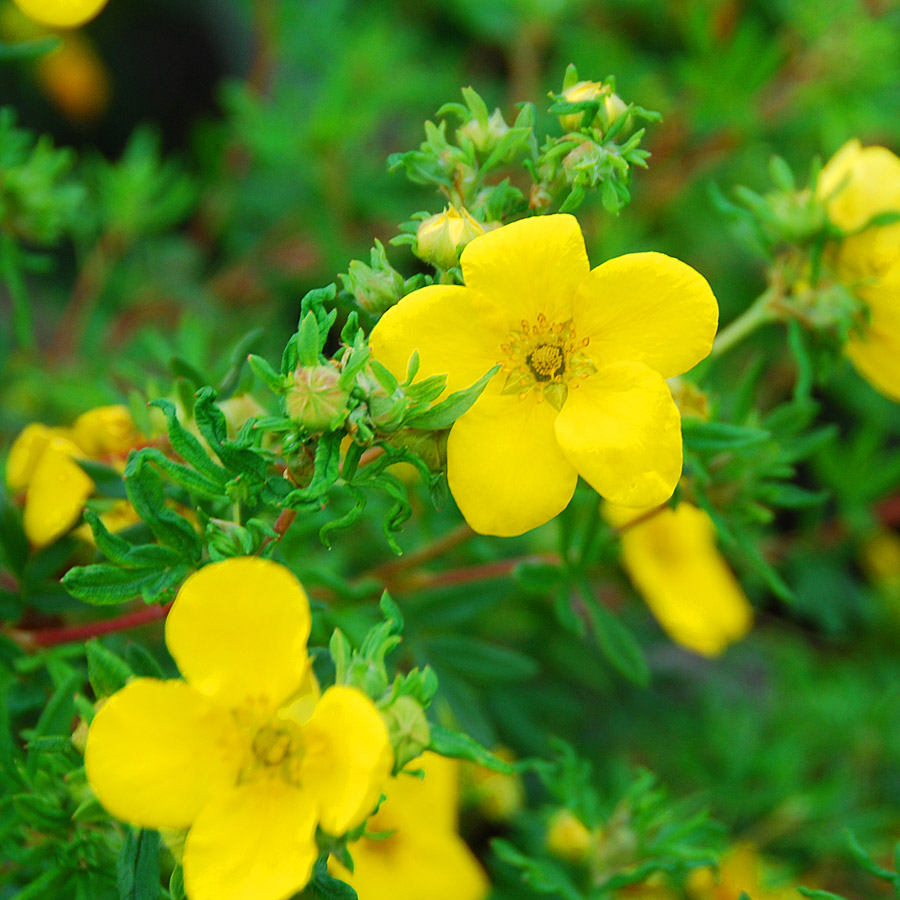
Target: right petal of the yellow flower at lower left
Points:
(348, 758)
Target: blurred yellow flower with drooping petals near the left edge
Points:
(42, 464)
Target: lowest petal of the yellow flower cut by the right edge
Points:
(876, 351)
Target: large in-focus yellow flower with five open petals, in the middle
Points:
(584, 354)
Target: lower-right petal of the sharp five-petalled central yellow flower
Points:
(621, 430)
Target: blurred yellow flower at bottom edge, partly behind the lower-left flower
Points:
(423, 858)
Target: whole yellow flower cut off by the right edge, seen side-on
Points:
(857, 184)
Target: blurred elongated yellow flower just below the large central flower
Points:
(672, 560)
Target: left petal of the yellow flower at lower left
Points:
(158, 750)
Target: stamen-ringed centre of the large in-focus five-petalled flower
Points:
(546, 357)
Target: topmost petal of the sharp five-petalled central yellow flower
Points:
(528, 268)
